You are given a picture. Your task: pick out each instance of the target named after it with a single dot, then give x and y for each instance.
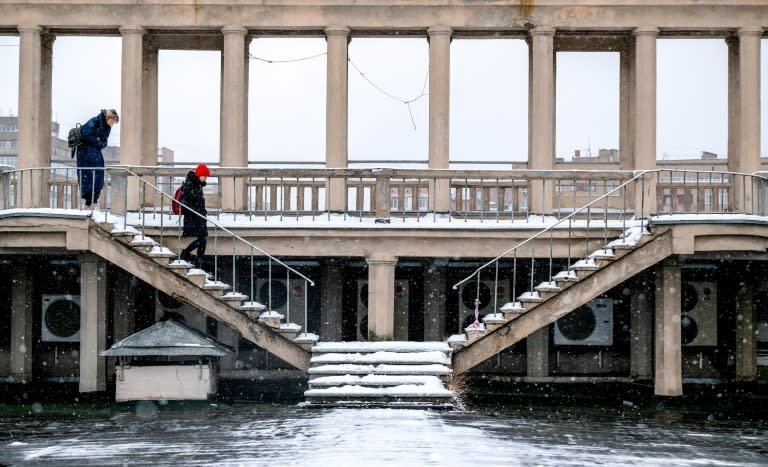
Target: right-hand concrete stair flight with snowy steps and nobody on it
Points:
(586, 278)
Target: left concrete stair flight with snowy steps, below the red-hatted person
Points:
(151, 262)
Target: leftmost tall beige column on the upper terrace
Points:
(34, 124)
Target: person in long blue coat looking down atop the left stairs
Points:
(95, 134)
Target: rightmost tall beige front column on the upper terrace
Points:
(748, 156)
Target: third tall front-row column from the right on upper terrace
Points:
(542, 116)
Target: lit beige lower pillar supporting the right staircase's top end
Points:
(668, 373)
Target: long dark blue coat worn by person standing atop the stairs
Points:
(95, 134)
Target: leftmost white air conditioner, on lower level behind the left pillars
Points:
(60, 320)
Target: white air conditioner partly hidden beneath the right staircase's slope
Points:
(590, 324)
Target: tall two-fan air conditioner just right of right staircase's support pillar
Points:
(698, 321)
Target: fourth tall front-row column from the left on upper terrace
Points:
(336, 113)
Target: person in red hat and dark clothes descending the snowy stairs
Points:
(194, 212)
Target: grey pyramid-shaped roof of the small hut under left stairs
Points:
(167, 338)
